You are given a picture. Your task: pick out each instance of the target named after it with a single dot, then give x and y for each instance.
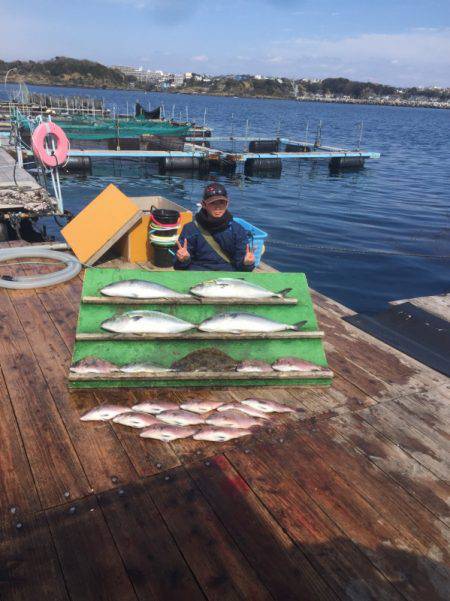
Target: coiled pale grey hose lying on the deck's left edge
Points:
(73, 267)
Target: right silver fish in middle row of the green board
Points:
(240, 323)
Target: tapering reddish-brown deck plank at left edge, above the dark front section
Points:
(18, 492)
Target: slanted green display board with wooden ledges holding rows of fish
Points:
(165, 352)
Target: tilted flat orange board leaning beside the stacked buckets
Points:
(100, 224)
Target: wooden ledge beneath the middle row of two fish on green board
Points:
(198, 336)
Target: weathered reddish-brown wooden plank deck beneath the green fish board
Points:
(348, 500)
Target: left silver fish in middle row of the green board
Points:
(146, 322)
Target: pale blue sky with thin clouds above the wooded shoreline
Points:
(397, 42)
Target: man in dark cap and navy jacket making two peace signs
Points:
(213, 241)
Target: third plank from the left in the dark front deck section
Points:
(152, 560)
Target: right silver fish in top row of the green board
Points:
(234, 288)
